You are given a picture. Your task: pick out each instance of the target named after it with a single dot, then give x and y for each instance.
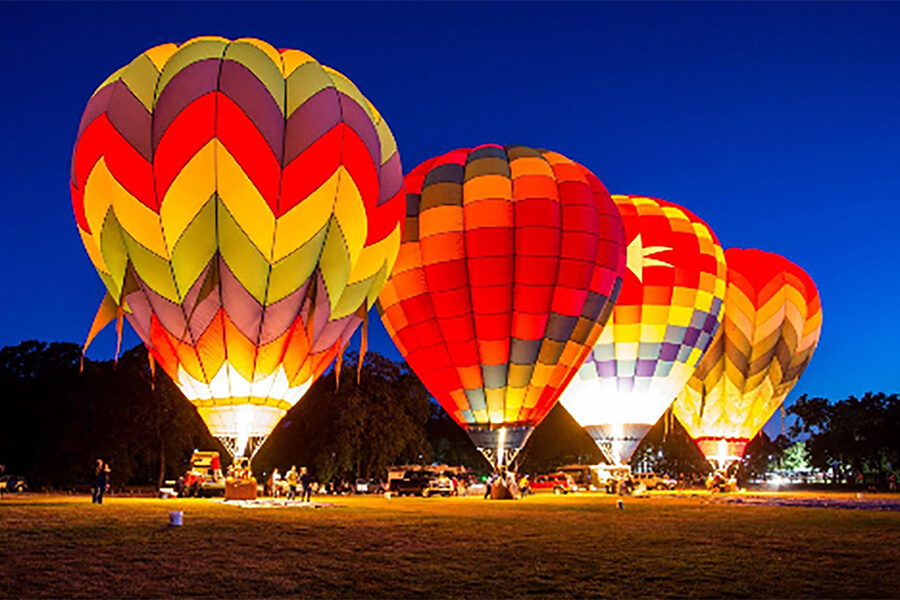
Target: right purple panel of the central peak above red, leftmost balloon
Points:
(253, 97)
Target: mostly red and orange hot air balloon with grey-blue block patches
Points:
(511, 260)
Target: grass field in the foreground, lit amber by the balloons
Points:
(544, 546)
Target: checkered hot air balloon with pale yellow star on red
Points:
(665, 318)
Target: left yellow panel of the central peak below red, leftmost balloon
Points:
(188, 193)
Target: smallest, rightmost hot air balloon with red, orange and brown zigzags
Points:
(773, 318)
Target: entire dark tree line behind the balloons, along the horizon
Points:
(59, 416)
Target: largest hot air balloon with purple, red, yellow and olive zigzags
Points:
(243, 207)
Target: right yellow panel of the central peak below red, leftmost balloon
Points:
(244, 202)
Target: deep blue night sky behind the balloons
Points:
(779, 124)
